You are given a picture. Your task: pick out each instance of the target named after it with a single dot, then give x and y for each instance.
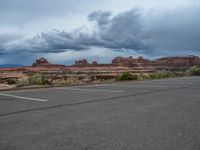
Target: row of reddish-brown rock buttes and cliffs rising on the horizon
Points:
(140, 62)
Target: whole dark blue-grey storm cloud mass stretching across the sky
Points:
(177, 30)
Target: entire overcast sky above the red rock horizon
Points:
(66, 30)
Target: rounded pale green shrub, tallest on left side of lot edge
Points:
(37, 79)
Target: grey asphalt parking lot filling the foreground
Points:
(141, 115)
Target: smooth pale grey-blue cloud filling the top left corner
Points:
(24, 11)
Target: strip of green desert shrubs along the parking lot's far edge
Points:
(39, 79)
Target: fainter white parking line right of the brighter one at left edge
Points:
(90, 90)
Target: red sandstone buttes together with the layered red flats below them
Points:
(119, 64)
